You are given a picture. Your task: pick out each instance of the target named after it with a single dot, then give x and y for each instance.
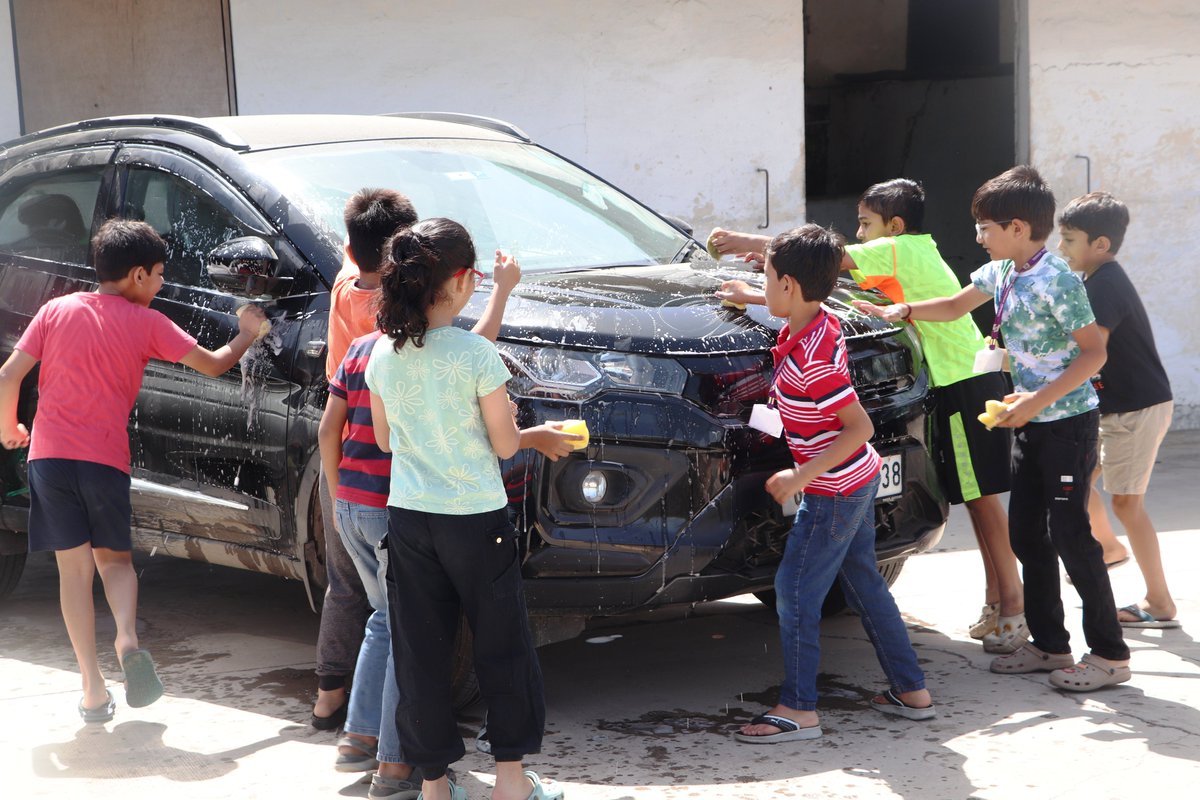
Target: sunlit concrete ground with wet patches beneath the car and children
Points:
(644, 711)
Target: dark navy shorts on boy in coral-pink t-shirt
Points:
(73, 503)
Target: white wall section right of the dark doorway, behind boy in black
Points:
(1118, 82)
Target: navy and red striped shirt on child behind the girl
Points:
(365, 472)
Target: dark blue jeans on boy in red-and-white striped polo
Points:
(835, 538)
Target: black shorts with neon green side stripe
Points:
(973, 461)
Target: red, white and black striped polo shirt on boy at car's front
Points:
(812, 384)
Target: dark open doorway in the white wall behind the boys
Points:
(920, 89)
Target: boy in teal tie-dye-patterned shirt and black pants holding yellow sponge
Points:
(1054, 348)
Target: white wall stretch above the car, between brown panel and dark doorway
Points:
(676, 103)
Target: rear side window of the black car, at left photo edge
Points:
(51, 216)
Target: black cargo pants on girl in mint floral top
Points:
(437, 567)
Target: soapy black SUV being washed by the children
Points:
(614, 322)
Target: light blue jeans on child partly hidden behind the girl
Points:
(375, 695)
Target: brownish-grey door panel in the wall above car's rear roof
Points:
(79, 59)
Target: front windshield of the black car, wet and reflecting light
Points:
(513, 197)
